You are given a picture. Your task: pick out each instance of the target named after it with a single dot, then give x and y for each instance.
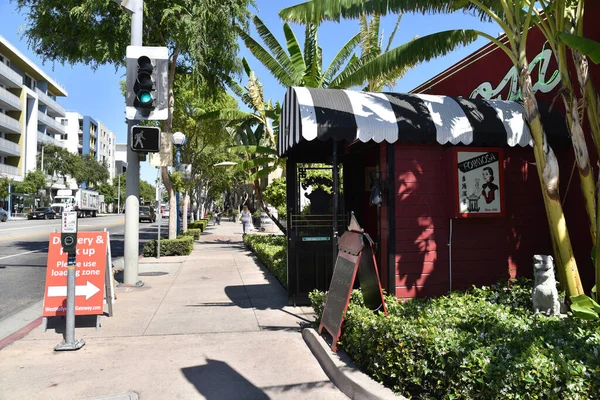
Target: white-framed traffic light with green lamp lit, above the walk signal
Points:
(147, 83)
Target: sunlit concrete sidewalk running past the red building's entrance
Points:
(211, 325)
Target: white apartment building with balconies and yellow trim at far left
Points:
(28, 112)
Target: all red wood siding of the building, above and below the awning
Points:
(487, 249)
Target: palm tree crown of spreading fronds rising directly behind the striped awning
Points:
(296, 68)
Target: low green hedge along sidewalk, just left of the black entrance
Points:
(271, 250)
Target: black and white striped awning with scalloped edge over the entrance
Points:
(337, 114)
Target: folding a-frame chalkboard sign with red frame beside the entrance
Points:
(355, 255)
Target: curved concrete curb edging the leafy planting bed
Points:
(343, 373)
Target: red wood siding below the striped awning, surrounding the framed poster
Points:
(484, 250)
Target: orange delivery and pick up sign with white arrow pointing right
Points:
(90, 270)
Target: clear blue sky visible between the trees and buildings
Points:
(106, 104)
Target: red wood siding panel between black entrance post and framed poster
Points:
(421, 232)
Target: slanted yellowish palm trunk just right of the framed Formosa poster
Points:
(548, 172)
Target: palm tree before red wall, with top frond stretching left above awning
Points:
(515, 18)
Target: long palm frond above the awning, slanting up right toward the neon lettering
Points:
(406, 55)
